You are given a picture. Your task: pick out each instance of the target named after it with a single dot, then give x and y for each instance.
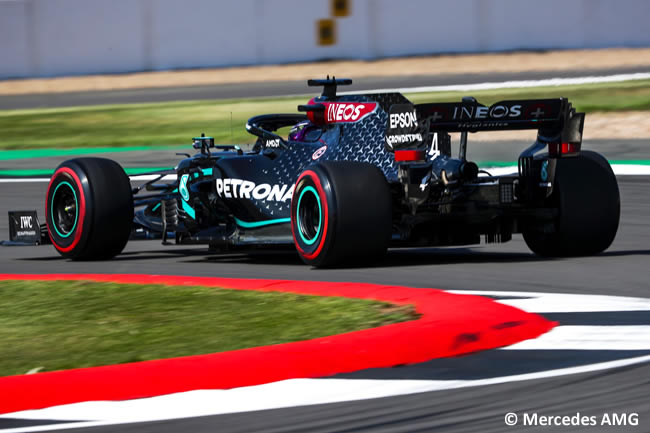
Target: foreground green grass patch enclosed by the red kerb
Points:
(61, 325)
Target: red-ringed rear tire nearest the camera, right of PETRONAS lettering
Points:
(341, 214)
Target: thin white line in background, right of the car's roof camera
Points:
(514, 84)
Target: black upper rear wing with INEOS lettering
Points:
(555, 119)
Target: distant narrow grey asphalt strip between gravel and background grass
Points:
(274, 89)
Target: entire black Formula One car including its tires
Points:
(356, 174)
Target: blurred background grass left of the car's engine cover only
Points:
(135, 124)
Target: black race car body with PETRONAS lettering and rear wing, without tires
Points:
(226, 197)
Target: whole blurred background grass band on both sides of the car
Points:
(177, 122)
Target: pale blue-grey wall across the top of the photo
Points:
(60, 37)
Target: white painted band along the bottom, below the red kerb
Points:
(276, 395)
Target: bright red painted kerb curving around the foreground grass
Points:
(449, 325)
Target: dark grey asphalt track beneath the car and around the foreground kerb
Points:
(621, 270)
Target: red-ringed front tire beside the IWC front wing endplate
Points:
(89, 209)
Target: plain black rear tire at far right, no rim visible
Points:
(588, 201)
